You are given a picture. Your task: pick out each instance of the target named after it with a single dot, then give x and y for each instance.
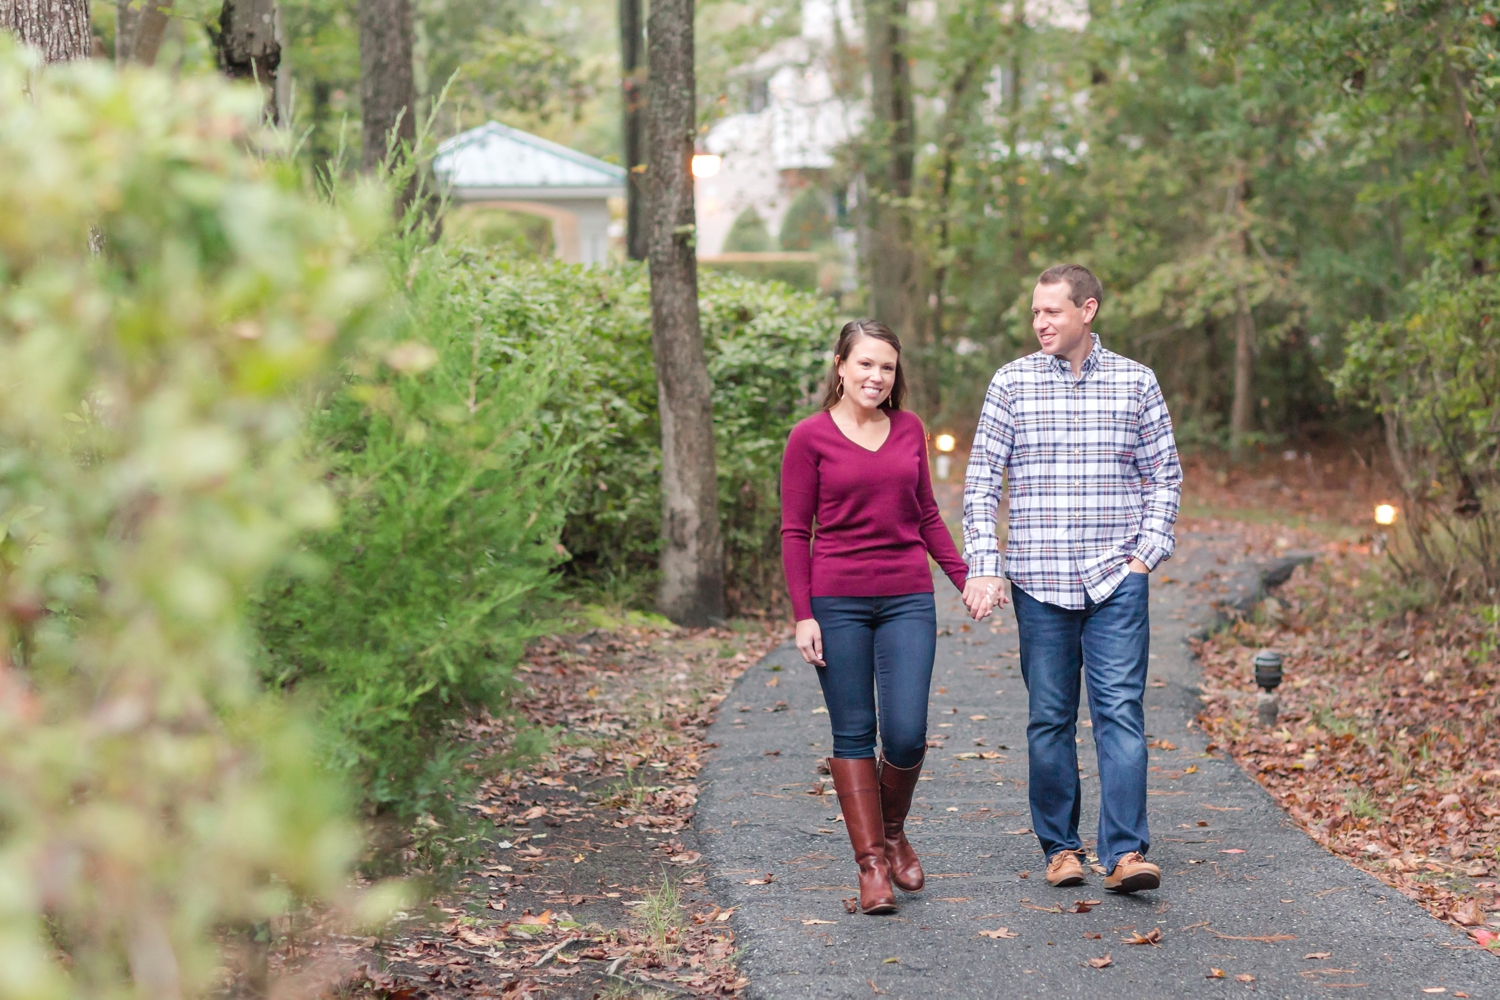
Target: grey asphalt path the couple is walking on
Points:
(1235, 869)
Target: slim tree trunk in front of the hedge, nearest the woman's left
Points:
(692, 588)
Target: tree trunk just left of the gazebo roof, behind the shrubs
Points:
(388, 86)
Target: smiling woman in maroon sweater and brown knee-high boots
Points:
(863, 593)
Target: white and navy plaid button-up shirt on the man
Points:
(1093, 472)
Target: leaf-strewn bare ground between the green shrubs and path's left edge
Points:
(587, 881)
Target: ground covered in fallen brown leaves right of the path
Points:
(1387, 749)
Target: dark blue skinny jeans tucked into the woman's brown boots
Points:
(878, 647)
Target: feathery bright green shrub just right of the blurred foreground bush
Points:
(416, 608)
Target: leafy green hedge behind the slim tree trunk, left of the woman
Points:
(767, 352)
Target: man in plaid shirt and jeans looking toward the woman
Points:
(1084, 439)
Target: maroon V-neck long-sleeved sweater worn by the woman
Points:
(875, 512)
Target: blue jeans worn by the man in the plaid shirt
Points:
(1111, 642)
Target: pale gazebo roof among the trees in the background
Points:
(496, 163)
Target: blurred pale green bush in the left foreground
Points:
(166, 299)
